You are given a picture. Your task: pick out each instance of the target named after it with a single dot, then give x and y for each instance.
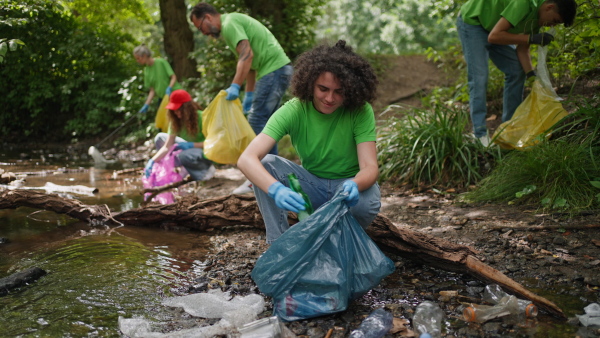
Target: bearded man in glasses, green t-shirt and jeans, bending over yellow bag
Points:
(262, 64)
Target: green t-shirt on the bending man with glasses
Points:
(268, 54)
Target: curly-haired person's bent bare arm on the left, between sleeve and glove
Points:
(249, 162)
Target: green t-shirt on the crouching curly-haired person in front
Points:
(326, 143)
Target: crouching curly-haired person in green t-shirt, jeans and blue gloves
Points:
(332, 126)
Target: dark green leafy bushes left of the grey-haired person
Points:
(64, 82)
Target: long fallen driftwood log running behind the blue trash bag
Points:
(237, 209)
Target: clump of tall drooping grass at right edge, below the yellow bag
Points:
(556, 174)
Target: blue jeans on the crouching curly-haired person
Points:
(319, 190)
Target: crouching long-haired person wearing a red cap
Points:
(185, 129)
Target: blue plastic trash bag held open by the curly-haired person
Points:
(320, 264)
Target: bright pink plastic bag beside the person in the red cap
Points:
(164, 172)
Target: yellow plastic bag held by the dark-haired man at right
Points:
(540, 110)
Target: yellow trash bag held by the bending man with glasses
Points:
(226, 129)
